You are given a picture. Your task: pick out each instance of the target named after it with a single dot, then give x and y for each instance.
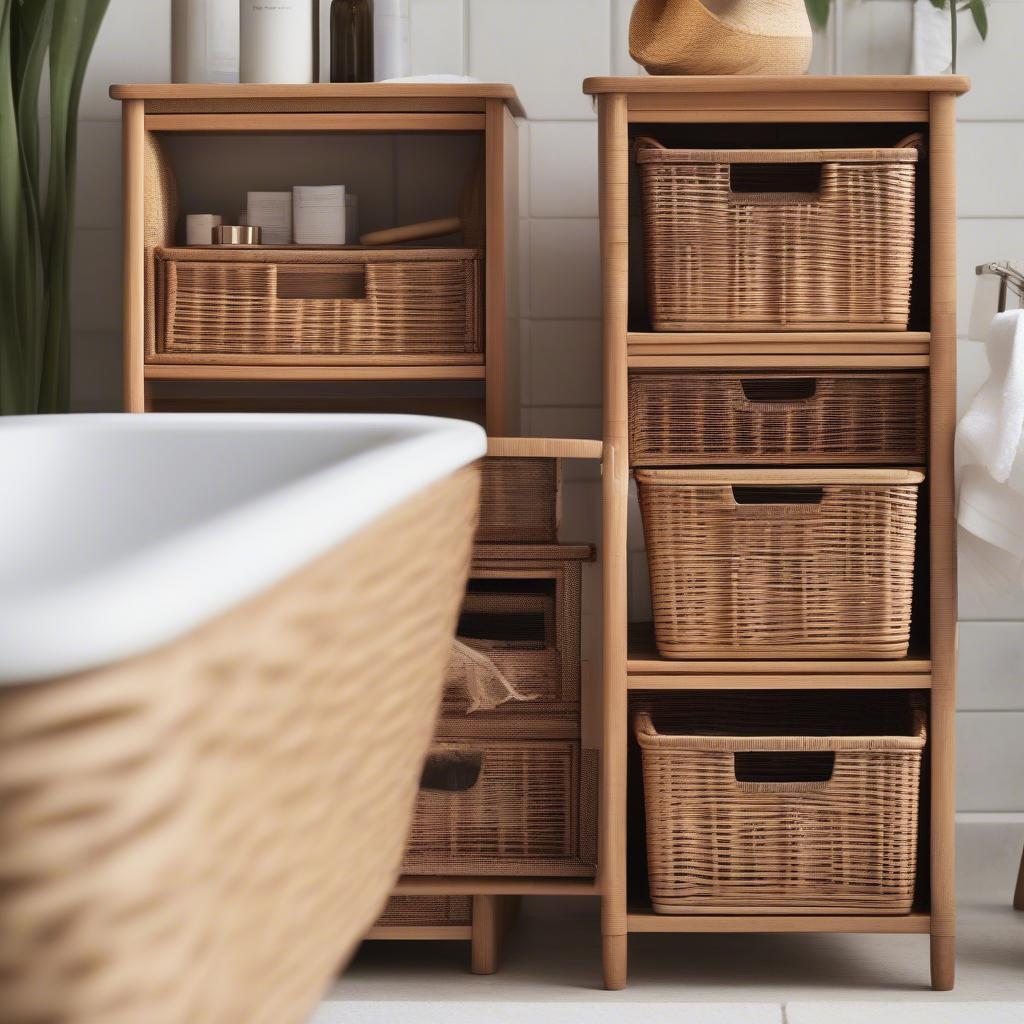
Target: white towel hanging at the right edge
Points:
(991, 440)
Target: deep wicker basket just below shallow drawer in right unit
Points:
(781, 564)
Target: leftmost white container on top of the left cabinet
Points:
(204, 41)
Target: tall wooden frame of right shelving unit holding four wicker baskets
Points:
(864, 105)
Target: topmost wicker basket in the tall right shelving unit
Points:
(763, 239)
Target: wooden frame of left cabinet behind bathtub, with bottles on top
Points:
(486, 110)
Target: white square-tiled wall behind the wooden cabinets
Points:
(546, 49)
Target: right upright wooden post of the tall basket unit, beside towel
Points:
(943, 537)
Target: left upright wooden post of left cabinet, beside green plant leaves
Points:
(135, 255)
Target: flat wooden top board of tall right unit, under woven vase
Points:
(634, 84)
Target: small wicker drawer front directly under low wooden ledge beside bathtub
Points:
(520, 501)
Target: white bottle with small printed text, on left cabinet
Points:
(277, 41)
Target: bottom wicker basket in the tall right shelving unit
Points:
(782, 803)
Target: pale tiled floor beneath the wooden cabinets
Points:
(554, 958)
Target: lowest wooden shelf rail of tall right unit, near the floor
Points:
(648, 921)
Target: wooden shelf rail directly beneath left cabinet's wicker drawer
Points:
(311, 372)
